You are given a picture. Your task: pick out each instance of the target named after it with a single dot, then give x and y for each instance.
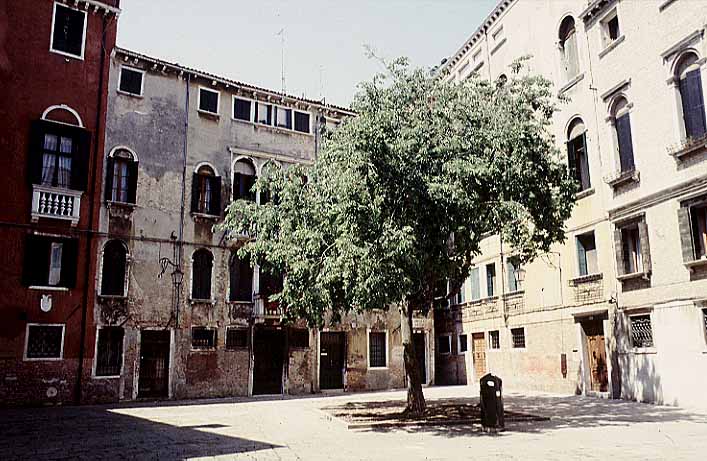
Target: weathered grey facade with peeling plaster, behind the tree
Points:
(179, 315)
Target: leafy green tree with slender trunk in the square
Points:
(403, 193)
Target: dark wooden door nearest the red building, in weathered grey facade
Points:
(153, 380)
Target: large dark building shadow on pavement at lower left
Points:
(101, 432)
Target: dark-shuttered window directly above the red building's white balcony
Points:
(58, 155)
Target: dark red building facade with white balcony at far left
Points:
(54, 60)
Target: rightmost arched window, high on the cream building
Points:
(689, 78)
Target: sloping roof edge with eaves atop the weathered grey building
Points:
(230, 82)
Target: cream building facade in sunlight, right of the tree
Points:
(619, 309)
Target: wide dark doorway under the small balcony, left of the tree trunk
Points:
(268, 359)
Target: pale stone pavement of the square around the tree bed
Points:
(296, 428)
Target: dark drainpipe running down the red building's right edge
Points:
(91, 213)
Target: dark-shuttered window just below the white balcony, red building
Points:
(50, 261)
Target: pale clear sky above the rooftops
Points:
(324, 39)
